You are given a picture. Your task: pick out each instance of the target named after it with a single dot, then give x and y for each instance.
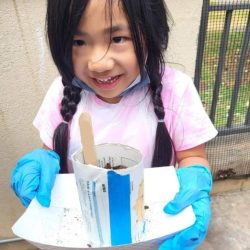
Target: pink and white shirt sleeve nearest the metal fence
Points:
(186, 119)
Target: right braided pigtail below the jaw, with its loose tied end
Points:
(163, 151)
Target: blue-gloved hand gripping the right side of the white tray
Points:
(195, 185)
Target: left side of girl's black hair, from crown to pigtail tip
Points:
(62, 21)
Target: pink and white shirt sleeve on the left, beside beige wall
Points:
(48, 116)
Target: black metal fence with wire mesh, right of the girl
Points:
(223, 79)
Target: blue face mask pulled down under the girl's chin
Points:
(139, 82)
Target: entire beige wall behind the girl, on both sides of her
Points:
(26, 70)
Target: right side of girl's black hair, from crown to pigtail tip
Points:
(148, 22)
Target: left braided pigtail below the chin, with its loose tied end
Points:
(71, 97)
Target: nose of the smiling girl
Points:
(101, 64)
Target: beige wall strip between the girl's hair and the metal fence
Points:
(184, 34)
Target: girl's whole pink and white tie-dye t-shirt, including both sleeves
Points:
(132, 121)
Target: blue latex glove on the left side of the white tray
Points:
(34, 175)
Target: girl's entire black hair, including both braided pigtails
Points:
(150, 32)
